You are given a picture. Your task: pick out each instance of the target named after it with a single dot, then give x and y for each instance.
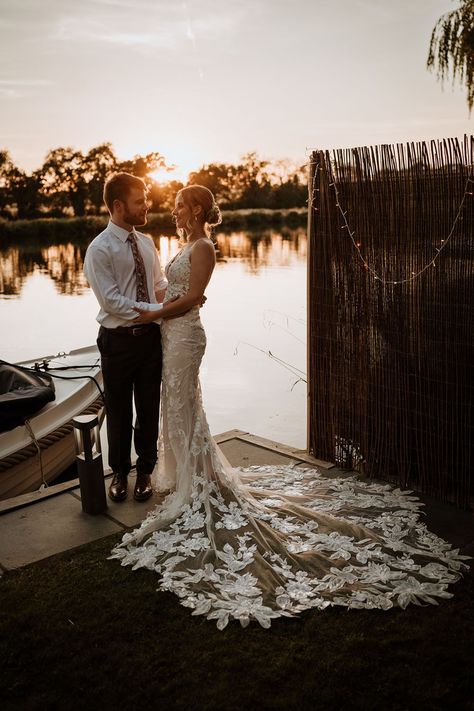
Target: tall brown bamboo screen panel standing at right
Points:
(390, 365)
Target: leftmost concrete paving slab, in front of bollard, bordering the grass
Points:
(46, 528)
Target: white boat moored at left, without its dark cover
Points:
(37, 452)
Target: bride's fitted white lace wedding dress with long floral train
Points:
(270, 541)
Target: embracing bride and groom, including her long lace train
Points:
(256, 544)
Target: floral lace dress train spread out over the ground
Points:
(289, 539)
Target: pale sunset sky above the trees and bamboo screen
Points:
(208, 80)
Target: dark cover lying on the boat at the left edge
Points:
(22, 394)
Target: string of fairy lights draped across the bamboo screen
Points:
(468, 191)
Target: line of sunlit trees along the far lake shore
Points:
(71, 182)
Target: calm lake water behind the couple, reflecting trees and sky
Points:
(256, 302)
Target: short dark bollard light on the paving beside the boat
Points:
(89, 463)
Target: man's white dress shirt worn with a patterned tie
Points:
(109, 268)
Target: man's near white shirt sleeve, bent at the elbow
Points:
(99, 274)
